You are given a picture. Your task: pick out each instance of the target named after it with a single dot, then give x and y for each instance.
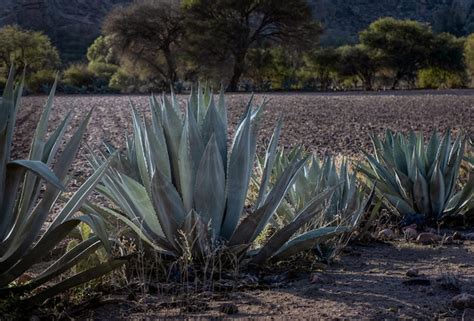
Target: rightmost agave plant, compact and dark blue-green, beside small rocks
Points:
(418, 179)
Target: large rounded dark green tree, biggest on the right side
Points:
(403, 46)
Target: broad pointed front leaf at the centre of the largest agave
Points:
(209, 190)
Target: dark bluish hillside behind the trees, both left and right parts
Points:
(74, 24)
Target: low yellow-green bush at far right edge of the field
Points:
(436, 78)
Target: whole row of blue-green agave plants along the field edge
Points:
(181, 189)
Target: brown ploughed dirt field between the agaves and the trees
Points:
(327, 123)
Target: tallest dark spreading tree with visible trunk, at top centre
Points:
(223, 29)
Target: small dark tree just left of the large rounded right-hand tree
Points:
(359, 61)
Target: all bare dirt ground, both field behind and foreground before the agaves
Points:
(368, 282)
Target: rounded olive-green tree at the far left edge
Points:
(25, 48)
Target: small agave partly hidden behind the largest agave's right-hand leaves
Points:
(342, 213)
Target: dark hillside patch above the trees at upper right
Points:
(343, 19)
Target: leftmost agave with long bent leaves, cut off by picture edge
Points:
(28, 191)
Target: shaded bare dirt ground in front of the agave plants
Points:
(368, 282)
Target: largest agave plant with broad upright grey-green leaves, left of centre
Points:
(178, 179)
